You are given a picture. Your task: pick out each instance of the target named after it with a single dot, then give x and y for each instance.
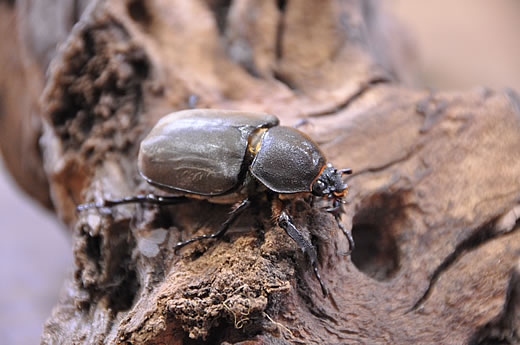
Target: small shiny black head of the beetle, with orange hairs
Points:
(329, 183)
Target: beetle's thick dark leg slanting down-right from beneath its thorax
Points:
(286, 223)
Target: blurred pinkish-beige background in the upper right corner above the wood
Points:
(464, 43)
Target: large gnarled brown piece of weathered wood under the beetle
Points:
(433, 204)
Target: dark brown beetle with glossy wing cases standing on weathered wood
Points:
(227, 156)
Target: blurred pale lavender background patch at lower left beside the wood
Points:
(42, 259)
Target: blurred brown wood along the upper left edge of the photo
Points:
(21, 84)
